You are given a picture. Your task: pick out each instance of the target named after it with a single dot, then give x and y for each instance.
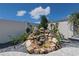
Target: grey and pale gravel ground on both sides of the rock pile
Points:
(68, 49)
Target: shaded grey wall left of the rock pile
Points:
(10, 28)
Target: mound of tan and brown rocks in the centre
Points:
(41, 42)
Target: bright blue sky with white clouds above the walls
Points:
(31, 12)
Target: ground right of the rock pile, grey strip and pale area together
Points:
(68, 49)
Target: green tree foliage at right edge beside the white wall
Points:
(74, 21)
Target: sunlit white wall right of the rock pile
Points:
(65, 29)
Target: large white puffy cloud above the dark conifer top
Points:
(37, 12)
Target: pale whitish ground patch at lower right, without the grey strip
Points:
(67, 51)
